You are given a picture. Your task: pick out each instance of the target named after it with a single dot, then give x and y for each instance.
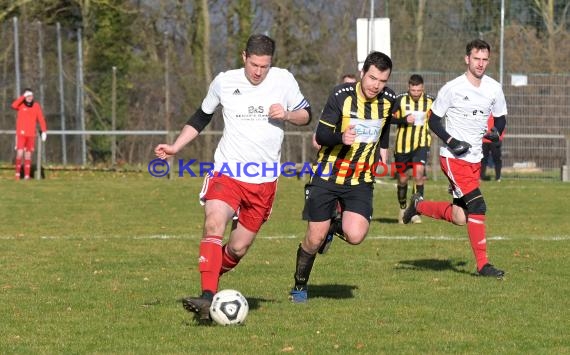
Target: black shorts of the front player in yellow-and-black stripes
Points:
(321, 198)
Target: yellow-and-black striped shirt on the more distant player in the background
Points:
(411, 136)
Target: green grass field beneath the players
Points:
(97, 263)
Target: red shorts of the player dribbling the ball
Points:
(252, 202)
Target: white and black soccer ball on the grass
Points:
(229, 307)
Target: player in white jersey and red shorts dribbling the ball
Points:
(257, 102)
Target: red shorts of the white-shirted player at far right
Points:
(462, 175)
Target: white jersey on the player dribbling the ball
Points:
(250, 147)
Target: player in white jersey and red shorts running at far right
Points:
(466, 102)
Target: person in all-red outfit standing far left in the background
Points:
(29, 114)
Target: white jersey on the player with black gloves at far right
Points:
(467, 109)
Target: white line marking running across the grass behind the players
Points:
(383, 237)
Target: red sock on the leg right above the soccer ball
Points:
(210, 262)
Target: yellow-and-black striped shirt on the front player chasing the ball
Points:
(353, 165)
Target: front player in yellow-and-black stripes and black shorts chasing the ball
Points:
(354, 124)
